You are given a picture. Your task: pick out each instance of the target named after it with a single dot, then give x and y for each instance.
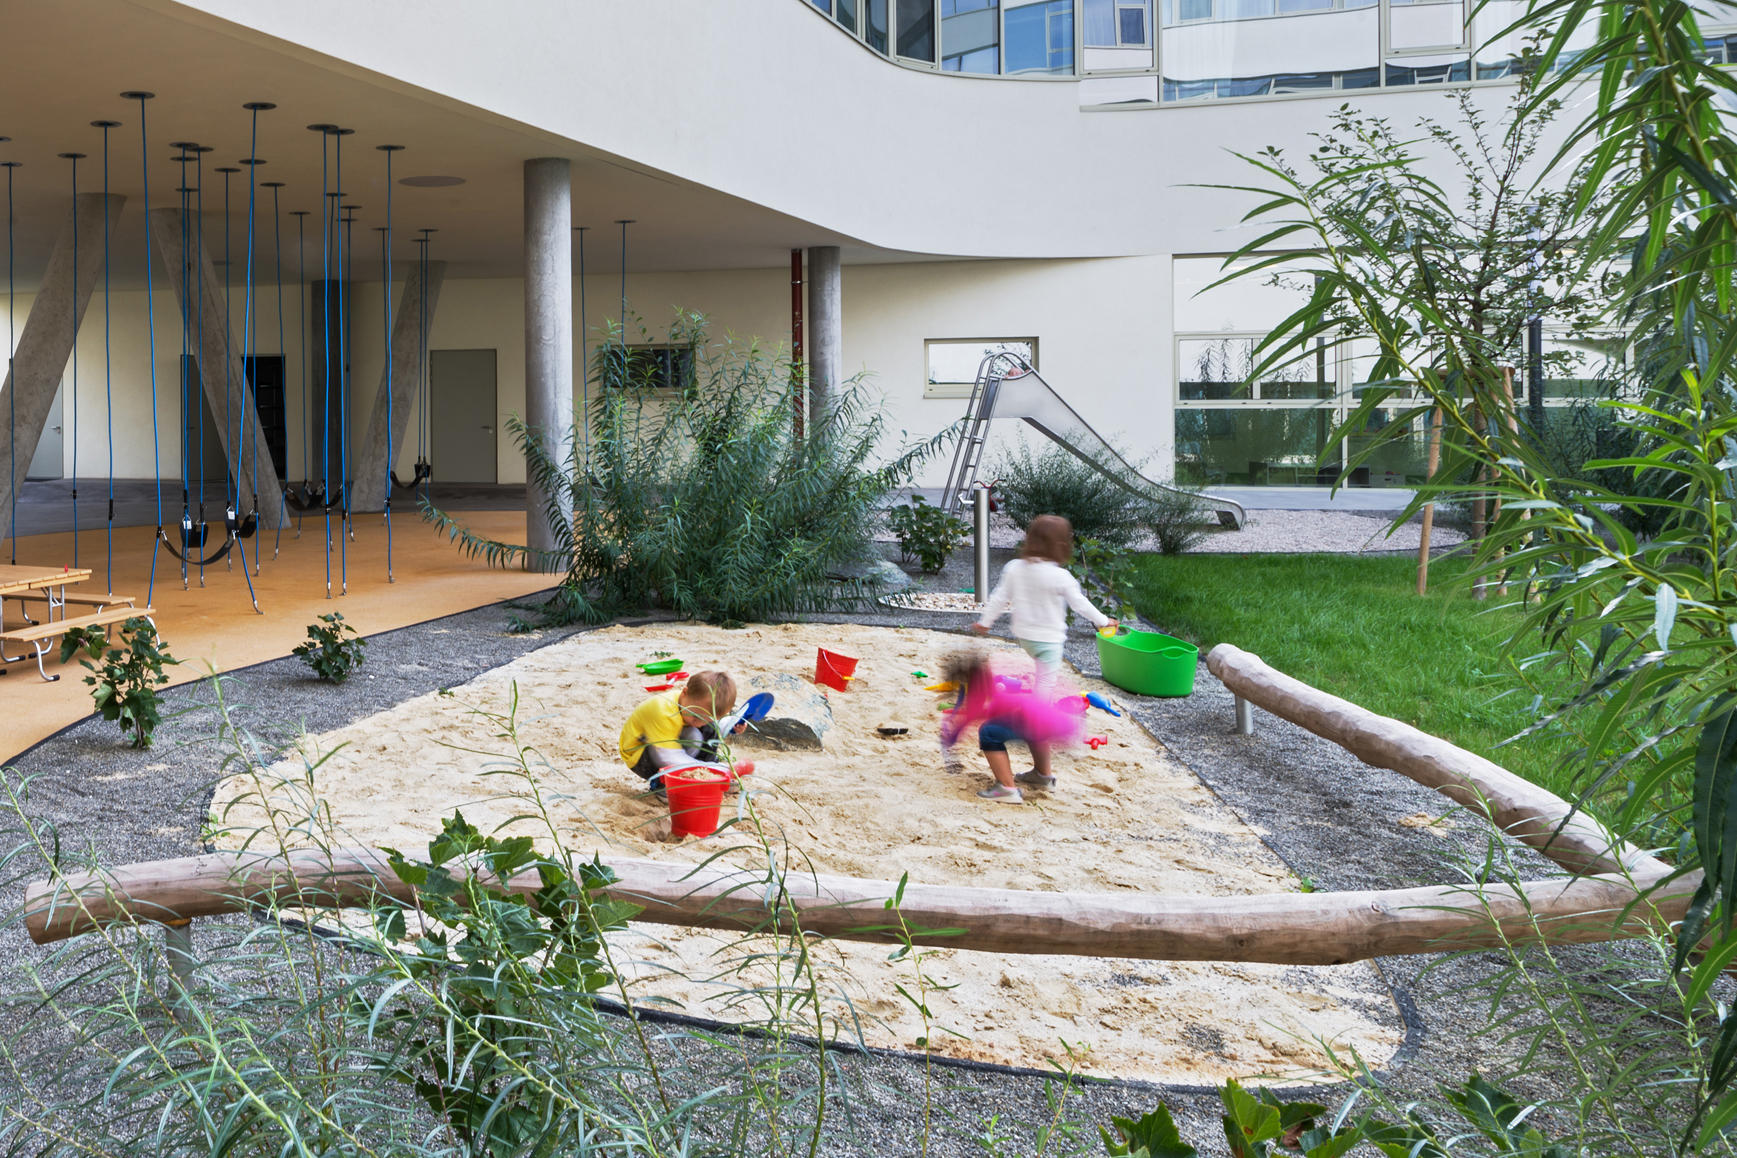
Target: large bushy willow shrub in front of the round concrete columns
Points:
(690, 490)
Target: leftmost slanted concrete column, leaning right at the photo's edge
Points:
(48, 339)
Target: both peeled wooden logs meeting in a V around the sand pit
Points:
(1627, 893)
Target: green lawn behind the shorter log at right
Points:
(1356, 628)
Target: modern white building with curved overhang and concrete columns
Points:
(916, 181)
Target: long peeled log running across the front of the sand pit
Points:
(1281, 928)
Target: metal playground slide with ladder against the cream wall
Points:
(1010, 388)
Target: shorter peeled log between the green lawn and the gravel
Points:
(1517, 806)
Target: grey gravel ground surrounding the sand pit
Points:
(1330, 817)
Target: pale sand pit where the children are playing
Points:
(1121, 819)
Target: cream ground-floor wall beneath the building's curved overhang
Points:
(1104, 332)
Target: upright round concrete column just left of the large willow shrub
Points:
(548, 329)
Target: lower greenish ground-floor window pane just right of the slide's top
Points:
(1255, 447)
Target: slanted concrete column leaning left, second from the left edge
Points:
(223, 374)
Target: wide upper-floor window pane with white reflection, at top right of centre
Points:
(1307, 46)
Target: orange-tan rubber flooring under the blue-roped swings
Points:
(215, 628)
